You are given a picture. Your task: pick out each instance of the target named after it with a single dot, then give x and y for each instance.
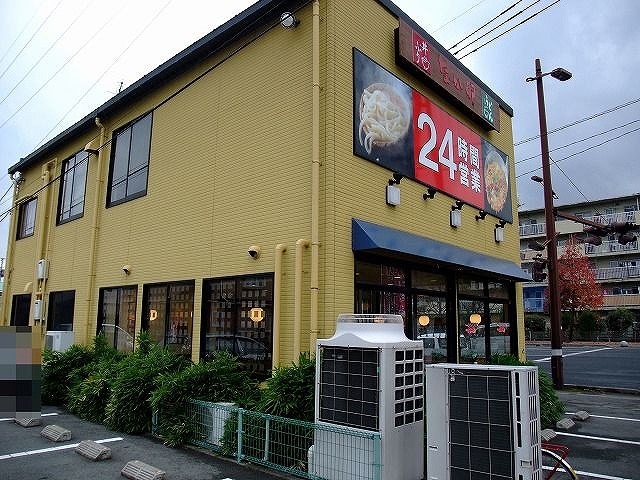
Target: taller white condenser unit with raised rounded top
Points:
(369, 378)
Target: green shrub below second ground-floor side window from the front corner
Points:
(128, 409)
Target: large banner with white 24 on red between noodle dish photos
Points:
(402, 130)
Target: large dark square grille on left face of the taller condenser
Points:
(349, 386)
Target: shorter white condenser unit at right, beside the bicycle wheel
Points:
(483, 421)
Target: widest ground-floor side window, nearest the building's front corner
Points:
(237, 316)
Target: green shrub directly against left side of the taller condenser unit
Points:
(290, 392)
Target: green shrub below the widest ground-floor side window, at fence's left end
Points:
(220, 379)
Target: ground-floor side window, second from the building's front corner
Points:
(168, 314)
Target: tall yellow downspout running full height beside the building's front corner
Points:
(315, 176)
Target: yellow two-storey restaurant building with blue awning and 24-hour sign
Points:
(305, 159)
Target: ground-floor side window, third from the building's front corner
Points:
(117, 316)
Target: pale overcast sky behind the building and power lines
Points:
(60, 59)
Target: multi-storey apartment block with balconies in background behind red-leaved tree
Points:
(617, 265)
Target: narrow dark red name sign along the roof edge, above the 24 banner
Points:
(431, 61)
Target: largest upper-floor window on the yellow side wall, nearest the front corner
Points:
(130, 161)
